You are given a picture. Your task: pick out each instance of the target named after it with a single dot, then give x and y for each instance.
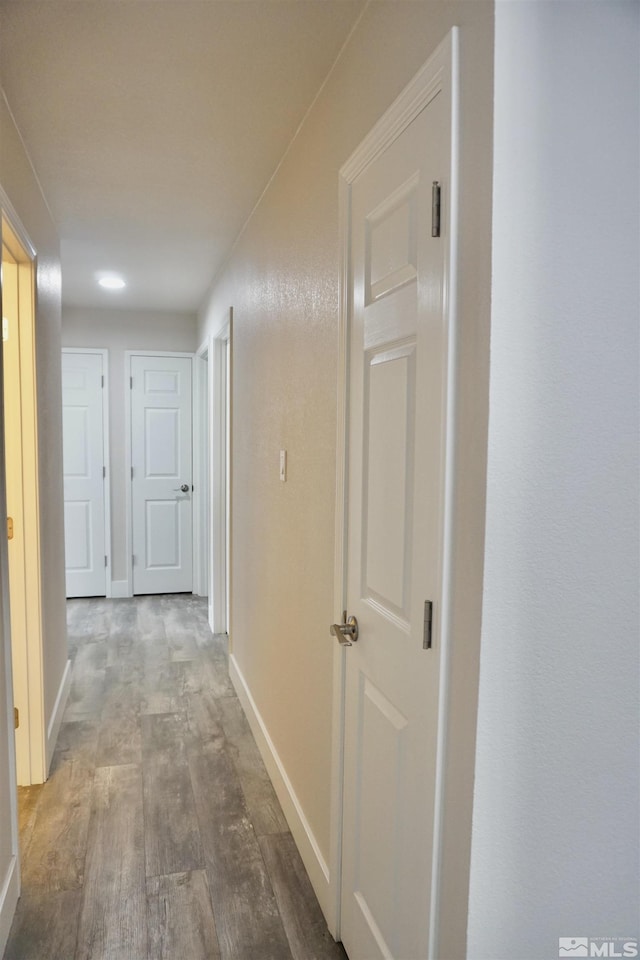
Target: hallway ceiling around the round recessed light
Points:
(155, 125)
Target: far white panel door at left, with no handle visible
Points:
(83, 445)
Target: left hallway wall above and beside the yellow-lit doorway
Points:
(19, 184)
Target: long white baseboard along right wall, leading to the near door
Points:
(315, 864)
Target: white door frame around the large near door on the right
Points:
(441, 67)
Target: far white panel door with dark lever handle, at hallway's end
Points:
(161, 480)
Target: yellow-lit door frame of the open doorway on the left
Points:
(28, 648)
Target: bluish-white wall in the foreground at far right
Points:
(555, 827)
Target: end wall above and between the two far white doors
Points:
(117, 331)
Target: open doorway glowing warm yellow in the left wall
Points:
(21, 460)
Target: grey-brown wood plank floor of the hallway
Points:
(158, 835)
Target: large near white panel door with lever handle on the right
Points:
(397, 408)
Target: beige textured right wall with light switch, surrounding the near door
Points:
(282, 281)
